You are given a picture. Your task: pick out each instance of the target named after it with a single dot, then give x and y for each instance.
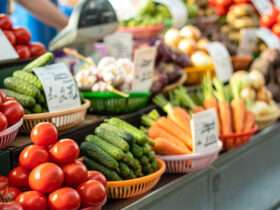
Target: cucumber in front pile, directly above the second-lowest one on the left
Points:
(112, 150)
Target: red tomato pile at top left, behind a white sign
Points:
(20, 39)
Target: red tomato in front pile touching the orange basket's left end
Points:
(92, 193)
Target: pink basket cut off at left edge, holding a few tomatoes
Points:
(9, 135)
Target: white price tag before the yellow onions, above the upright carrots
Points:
(221, 59)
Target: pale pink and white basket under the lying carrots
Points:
(177, 164)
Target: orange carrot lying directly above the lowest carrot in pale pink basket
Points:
(156, 131)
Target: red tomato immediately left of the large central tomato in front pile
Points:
(18, 177)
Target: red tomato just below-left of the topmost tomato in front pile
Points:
(32, 156)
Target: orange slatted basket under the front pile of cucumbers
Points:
(135, 187)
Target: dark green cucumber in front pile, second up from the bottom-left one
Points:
(96, 153)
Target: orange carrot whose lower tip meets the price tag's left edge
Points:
(175, 130)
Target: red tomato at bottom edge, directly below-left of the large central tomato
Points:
(32, 200)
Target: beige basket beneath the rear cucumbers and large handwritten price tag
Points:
(63, 120)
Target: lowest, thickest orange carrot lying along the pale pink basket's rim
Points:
(164, 147)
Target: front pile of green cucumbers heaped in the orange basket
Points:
(119, 150)
